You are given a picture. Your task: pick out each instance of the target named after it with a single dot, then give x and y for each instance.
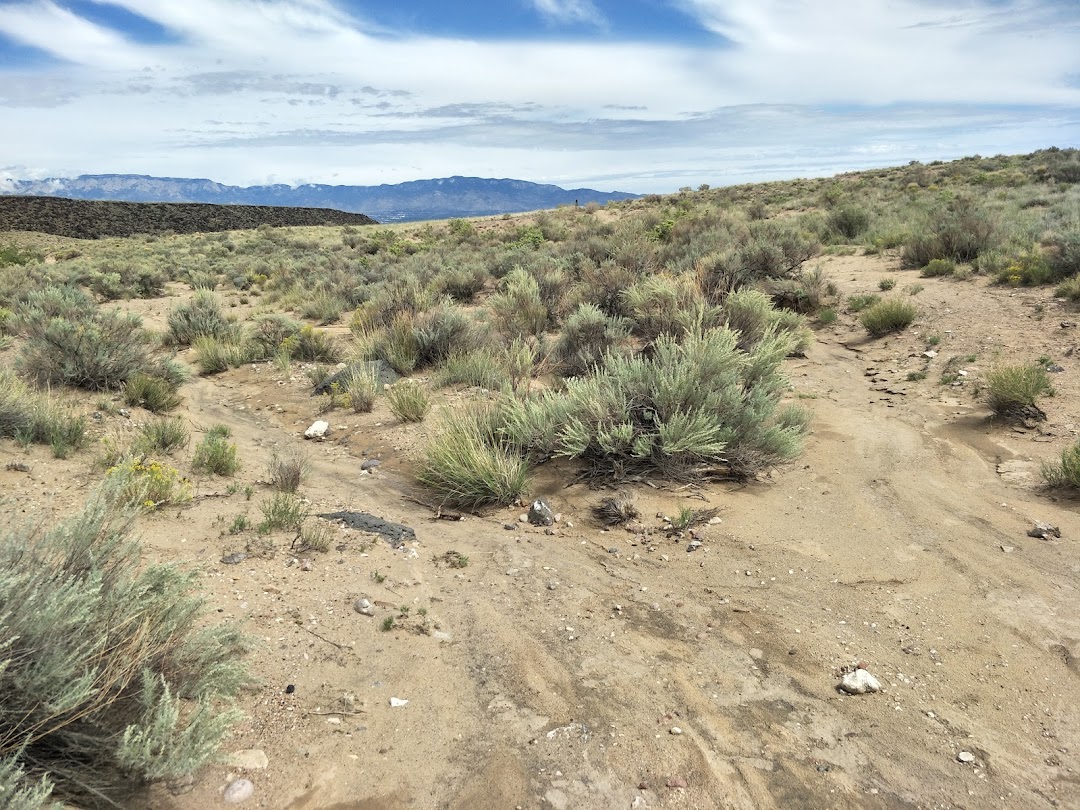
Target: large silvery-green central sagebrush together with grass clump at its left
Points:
(696, 407)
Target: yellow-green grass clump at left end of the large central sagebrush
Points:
(466, 466)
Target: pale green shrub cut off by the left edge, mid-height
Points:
(34, 417)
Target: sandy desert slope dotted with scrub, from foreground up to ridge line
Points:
(789, 435)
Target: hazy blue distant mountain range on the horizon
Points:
(451, 197)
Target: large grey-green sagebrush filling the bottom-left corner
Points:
(111, 679)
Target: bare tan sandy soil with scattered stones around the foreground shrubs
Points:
(555, 670)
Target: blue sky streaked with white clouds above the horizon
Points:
(637, 96)
